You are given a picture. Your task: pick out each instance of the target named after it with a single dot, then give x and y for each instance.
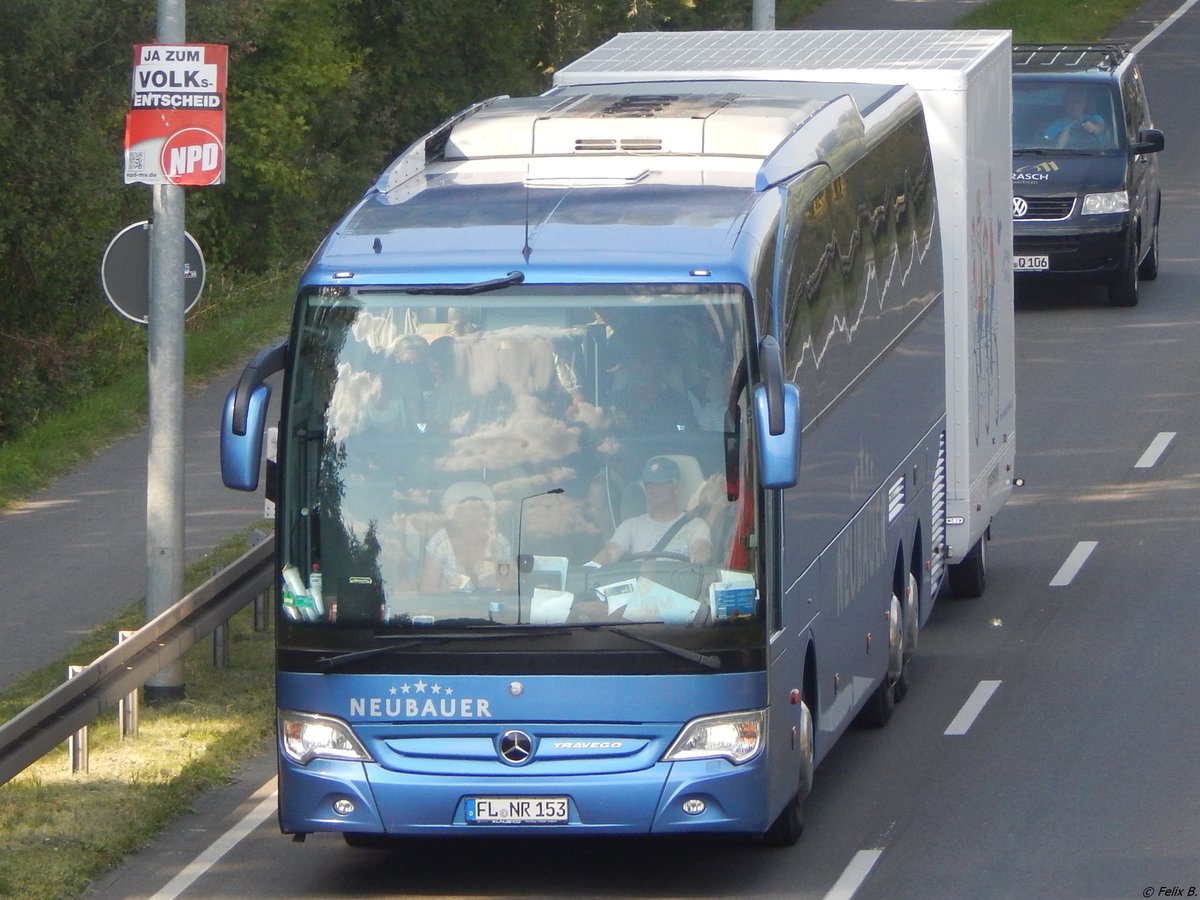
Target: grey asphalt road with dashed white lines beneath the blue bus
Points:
(1076, 779)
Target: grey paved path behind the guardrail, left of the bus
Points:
(75, 555)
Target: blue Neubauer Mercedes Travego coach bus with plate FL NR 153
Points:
(611, 463)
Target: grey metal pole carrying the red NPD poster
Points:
(165, 467)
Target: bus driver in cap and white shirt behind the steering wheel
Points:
(664, 529)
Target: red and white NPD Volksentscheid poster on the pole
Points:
(175, 131)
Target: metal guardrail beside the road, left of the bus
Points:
(34, 733)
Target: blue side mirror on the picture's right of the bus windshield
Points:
(777, 410)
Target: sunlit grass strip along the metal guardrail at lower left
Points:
(59, 831)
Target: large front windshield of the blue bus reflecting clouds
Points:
(525, 457)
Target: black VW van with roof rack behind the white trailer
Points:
(1087, 195)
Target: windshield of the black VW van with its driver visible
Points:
(1064, 116)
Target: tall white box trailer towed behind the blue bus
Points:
(964, 80)
